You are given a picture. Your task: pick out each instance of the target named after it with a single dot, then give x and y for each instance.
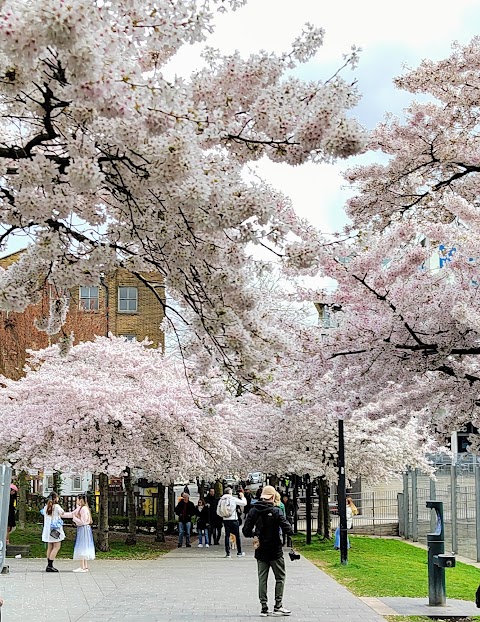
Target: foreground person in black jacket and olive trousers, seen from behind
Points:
(264, 522)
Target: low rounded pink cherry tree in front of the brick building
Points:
(107, 405)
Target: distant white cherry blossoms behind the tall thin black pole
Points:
(289, 424)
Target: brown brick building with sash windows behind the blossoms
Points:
(120, 304)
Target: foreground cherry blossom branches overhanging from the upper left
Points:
(105, 163)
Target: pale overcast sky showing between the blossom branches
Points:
(391, 35)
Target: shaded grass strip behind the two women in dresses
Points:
(146, 547)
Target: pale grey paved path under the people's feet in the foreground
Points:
(186, 584)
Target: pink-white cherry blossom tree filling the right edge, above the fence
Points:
(407, 341)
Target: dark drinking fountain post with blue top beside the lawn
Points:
(437, 559)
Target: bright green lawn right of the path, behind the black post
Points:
(386, 567)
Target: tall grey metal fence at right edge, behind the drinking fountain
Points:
(458, 486)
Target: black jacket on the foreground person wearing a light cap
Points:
(265, 521)
